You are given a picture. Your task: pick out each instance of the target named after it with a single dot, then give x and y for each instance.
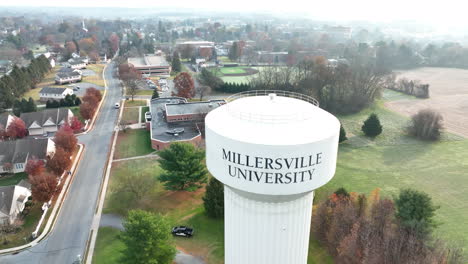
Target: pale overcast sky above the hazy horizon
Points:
(442, 12)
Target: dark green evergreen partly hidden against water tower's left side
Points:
(213, 201)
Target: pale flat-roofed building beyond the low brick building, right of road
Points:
(151, 64)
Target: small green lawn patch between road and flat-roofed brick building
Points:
(135, 142)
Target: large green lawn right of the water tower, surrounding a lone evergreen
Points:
(395, 160)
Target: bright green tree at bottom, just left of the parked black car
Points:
(147, 239)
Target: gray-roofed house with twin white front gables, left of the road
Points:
(46, 121)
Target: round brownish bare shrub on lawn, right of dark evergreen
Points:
(426, 125)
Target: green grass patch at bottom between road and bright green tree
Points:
(108, 246)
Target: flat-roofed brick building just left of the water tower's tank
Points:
(173, 119)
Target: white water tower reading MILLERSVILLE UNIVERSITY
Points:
(270, 149)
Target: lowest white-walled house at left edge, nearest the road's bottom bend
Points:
(12, 201)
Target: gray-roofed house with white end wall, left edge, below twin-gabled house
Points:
(14, 154)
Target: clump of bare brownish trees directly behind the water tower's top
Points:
(344, 88)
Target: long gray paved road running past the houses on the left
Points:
(68, 237)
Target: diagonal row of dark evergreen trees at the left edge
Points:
(21, 80)
